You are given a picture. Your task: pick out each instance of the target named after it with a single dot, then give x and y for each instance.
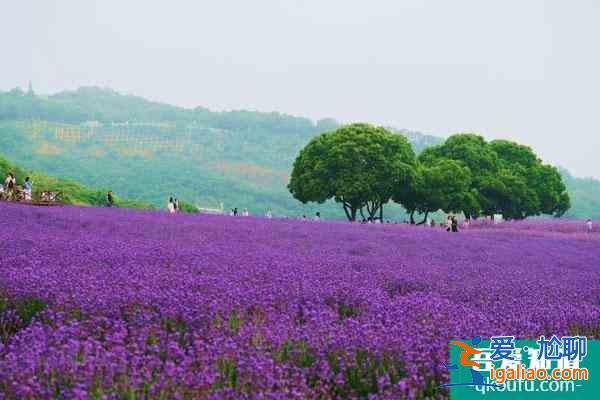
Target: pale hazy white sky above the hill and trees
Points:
(527, 70)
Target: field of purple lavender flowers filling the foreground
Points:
(122, 304)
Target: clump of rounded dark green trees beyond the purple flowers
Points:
(363, 167)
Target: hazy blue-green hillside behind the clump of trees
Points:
(147, 150)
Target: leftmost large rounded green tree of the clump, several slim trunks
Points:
(358, 165)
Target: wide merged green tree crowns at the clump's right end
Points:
(506, 178)
